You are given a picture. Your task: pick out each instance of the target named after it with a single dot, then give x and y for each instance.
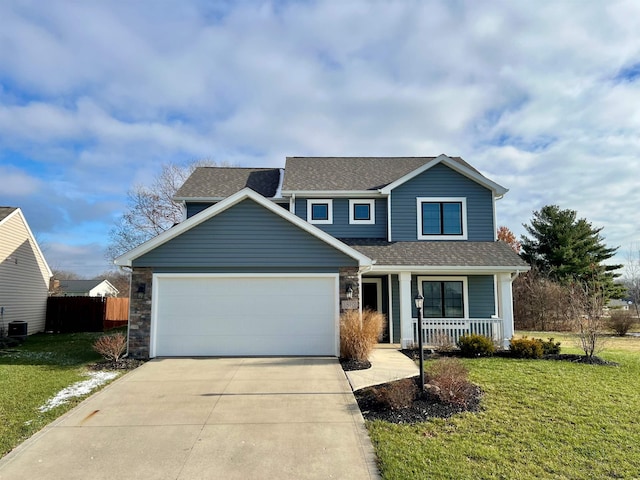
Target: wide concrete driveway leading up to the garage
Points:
(209, 418)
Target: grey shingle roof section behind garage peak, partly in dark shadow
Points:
(222, 182)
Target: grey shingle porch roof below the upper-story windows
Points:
(438, 254)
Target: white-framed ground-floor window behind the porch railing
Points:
(444, 298)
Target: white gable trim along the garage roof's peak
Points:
(126, 259)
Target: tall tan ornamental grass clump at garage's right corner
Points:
(359, 334)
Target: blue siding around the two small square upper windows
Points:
(340, 228)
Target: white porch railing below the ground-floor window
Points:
(446, 331)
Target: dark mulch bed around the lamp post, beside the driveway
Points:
(425, 406)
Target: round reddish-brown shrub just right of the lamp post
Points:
(450, 378)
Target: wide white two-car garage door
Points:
(212, 315)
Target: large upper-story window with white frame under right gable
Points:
(442, 218)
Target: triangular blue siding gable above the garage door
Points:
(247, 236)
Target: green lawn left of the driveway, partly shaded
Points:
(32, 373)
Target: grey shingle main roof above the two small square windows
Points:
(350, 173)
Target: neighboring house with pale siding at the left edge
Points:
(24, 273)
